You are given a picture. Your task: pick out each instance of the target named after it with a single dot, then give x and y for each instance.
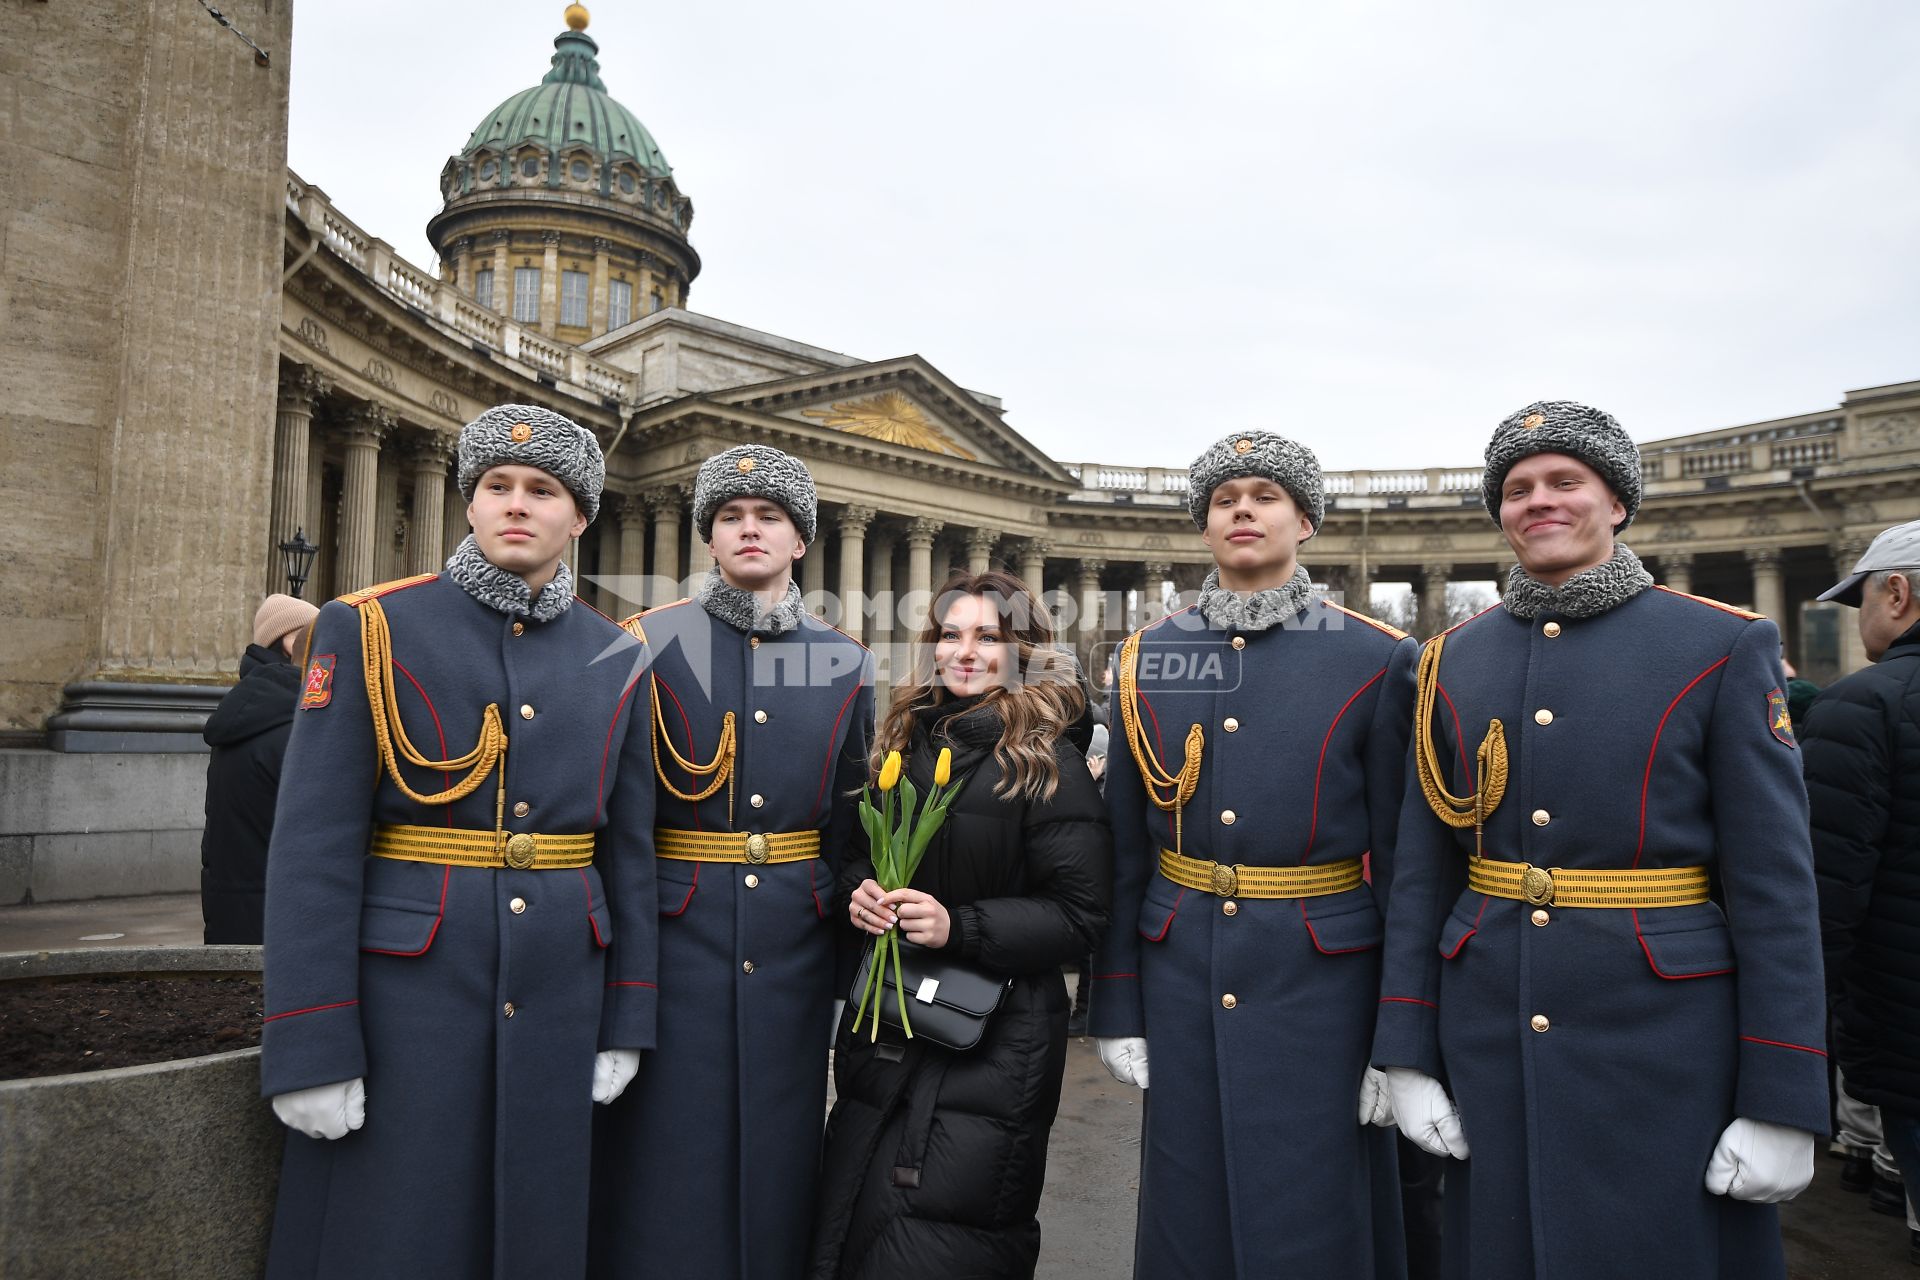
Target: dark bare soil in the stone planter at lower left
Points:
(93, 1024)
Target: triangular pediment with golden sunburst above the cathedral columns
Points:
(905, 404)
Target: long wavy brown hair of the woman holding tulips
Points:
(1040, 699)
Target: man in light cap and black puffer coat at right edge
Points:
(1863, 788)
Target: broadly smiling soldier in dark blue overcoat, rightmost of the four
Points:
(1604, 960)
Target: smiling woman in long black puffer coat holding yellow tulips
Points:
(936, 1158)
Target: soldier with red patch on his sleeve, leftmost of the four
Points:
(460, 893)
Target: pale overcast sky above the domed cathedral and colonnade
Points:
(1374, 225)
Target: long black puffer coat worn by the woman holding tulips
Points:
(1028, 888)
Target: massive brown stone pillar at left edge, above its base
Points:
(141, 245)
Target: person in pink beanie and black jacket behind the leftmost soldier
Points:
(249, 736)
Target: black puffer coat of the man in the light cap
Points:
(1863, 784)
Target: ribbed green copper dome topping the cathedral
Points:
(567, 112)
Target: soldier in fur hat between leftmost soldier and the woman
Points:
(761, 719)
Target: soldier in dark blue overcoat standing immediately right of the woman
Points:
(1255, 780)
